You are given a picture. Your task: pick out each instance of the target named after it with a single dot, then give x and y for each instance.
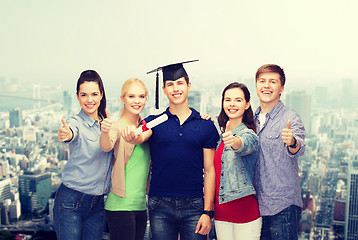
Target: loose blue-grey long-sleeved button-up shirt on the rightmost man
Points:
(276, 176)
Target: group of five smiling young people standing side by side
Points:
(246, 178)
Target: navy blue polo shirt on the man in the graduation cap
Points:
(177, 155)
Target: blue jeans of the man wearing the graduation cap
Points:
(172, 216)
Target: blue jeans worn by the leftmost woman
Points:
(77, 215)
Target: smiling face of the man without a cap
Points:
(269, 88)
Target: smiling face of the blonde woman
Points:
(134, 99)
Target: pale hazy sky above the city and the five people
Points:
(52, 42)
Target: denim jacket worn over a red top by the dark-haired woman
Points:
(238, 166)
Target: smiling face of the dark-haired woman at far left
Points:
(89, 97)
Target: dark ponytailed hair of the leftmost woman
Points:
(93, 76)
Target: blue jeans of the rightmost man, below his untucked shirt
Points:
(282, 226)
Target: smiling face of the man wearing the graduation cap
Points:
(177, 91)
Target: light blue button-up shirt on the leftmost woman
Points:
(88, 169)
